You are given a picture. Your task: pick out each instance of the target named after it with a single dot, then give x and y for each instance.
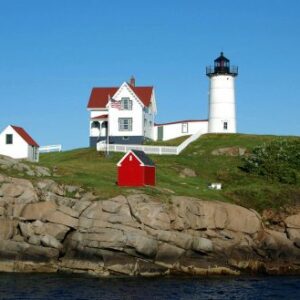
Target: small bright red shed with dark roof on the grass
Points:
(136, 169)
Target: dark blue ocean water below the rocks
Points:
(59, 286)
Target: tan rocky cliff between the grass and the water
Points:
(46, 227)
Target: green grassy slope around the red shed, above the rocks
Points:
(92, 169)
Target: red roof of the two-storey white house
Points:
(99, 96)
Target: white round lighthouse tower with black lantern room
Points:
(221, 116)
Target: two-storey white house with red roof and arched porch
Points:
(122, 115)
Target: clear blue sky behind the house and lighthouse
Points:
(54, 52)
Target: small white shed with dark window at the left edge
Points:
(15, 142)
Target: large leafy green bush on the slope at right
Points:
(278, 160)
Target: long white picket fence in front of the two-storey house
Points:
(161, 150)
